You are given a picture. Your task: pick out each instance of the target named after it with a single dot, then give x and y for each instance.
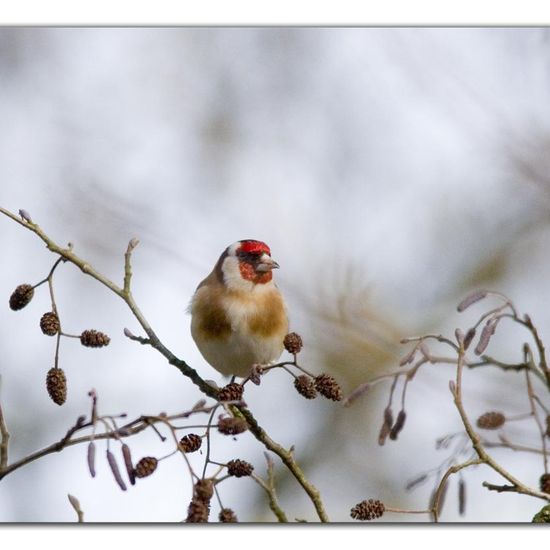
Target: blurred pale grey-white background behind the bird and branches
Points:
(391, 171)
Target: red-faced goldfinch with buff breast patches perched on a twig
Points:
(238, 315)
